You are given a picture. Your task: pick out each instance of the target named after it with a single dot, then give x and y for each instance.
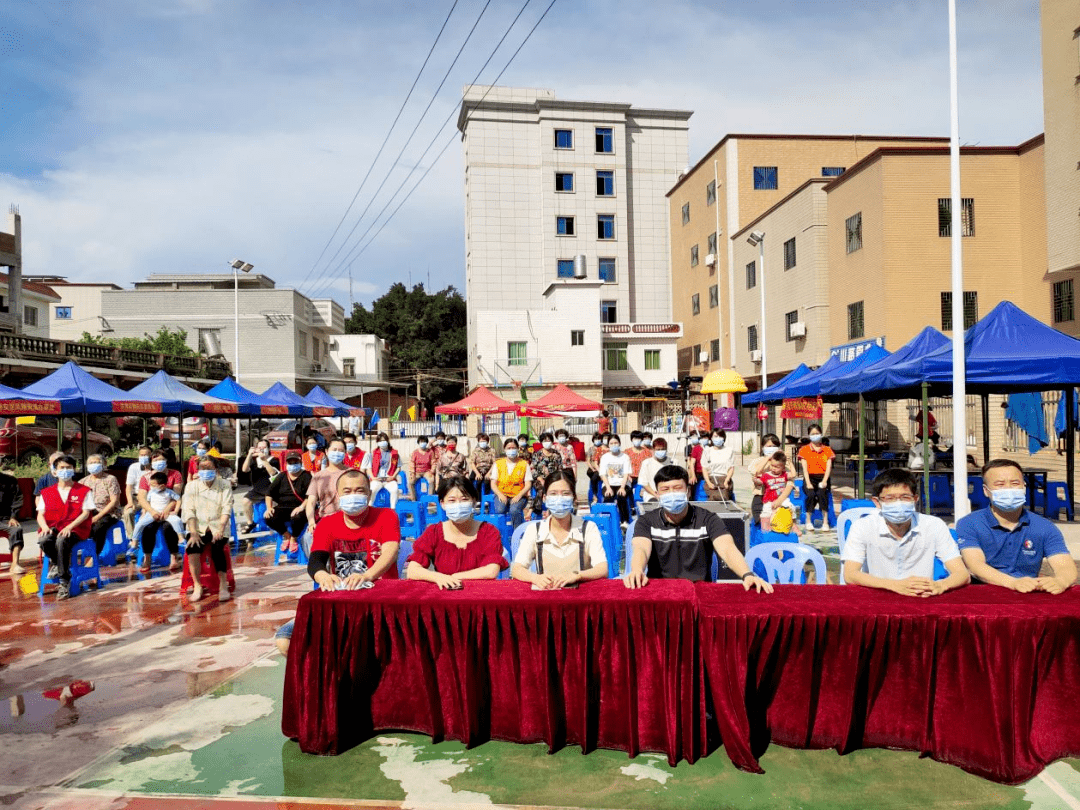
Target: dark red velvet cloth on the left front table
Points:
(598, 667)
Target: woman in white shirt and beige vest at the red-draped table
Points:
(565, 549)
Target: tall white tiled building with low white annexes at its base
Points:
(568, 260)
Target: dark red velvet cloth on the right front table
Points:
(982, 678)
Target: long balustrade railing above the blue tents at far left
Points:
(24, 347)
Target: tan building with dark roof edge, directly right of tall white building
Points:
(735, 183)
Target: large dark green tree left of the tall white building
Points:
(424, 331)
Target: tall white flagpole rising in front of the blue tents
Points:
(963, 506)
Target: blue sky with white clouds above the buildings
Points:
(172, 136)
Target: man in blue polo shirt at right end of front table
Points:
(1005, 545)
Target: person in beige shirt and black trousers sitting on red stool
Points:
(208, 509)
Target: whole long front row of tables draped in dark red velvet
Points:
(983, 679)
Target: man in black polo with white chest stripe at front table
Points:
(679, 541)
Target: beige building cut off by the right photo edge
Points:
(1061, 101)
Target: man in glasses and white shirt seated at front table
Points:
(899, 546)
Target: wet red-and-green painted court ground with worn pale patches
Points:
(187, 707)
